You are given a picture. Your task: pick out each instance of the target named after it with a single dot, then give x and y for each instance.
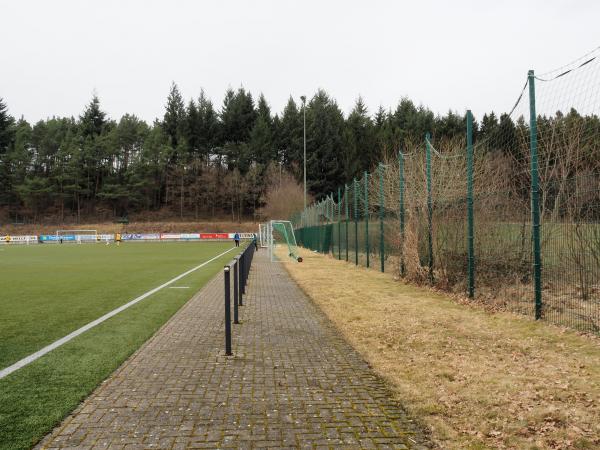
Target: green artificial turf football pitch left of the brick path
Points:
(49, 291)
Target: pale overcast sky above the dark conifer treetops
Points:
(444, 54)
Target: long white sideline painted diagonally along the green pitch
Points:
(31, 358)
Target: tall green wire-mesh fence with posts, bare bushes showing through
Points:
(511, 220)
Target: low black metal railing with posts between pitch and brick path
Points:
(240, 266)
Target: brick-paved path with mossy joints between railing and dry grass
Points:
(293, 382)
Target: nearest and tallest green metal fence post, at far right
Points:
(535, 199)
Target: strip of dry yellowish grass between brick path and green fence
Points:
(476, 379)
